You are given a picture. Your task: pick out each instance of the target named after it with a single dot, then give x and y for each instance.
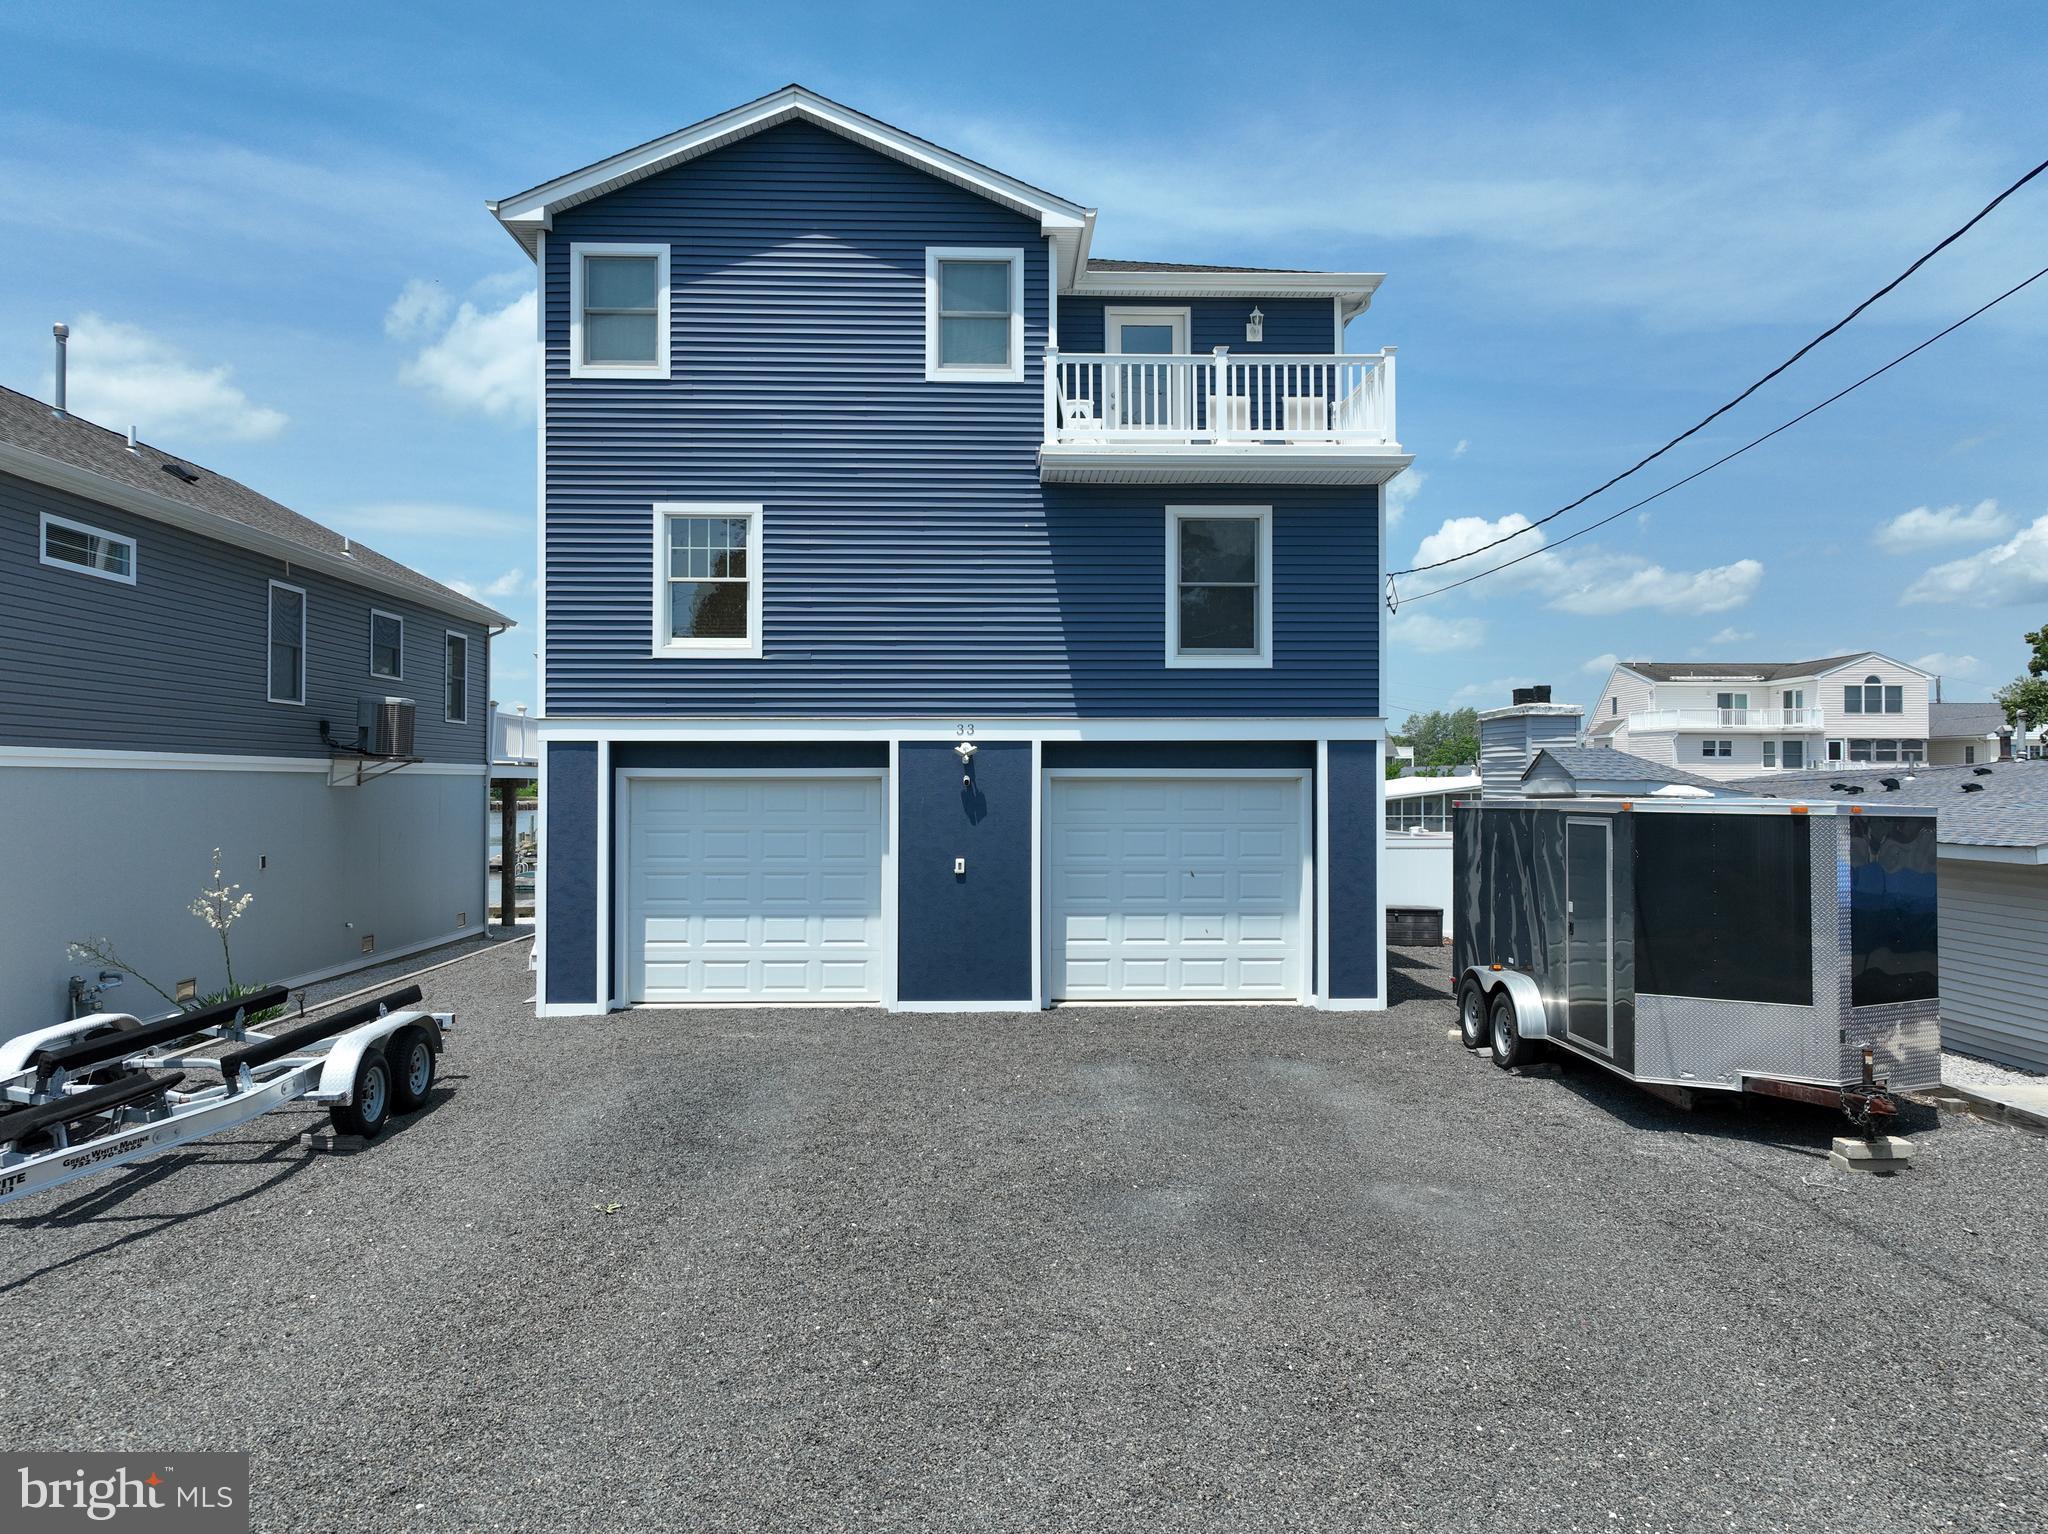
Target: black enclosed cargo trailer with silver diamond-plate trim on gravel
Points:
(1738, 945)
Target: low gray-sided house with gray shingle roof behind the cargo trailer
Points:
(1994, 892)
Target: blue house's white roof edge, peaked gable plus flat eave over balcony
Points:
(1068, 224)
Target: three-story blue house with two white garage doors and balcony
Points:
(935, 613)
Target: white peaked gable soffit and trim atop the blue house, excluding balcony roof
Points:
(531, 212)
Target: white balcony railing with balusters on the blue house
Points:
(1222, 398)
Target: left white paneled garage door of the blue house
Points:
(753, 890)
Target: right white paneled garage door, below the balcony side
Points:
(1177, 888)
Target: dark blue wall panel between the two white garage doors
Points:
(964, 937)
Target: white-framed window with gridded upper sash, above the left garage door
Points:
(708, 583)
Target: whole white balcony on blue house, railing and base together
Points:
(1220, 419)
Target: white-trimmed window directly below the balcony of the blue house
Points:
(1220, 601)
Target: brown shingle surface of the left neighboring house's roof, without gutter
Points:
(30, 425)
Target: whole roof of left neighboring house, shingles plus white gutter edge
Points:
(91, 462)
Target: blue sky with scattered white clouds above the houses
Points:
(1596, 222)
